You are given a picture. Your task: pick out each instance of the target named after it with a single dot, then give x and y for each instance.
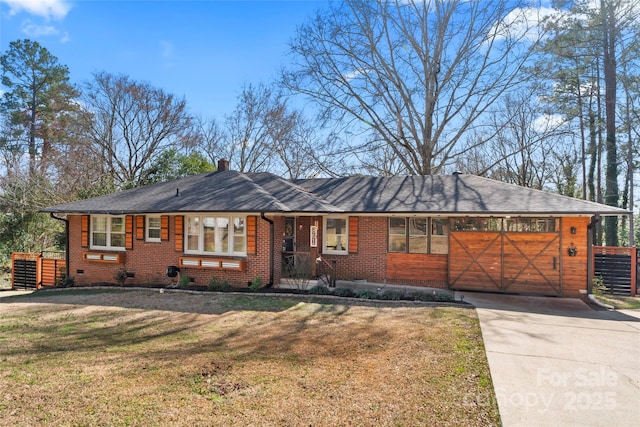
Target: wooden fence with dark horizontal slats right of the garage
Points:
(617, 267)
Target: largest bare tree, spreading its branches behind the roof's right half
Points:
(410, 76)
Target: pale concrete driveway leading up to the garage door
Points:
(558, 362)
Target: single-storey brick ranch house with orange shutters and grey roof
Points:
(458, 231)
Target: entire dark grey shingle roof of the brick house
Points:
(232, 191)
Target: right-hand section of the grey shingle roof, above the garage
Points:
(446, 194)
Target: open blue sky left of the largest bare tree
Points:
(203, 50)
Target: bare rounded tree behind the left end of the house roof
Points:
(132, 123)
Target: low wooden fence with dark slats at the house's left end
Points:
(33, 271)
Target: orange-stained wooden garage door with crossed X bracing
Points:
(505, 262)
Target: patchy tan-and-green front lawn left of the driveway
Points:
(148, 358)
